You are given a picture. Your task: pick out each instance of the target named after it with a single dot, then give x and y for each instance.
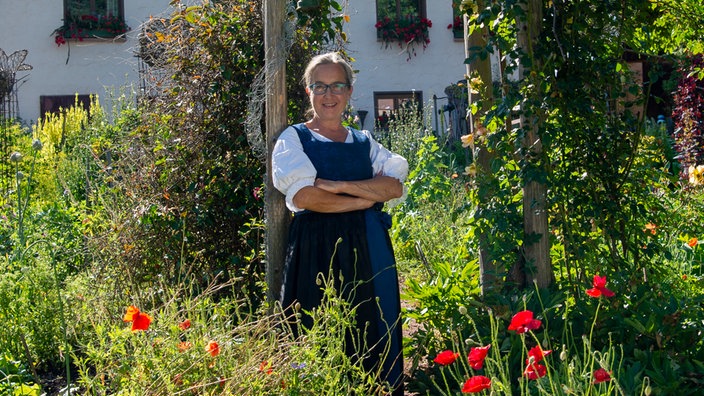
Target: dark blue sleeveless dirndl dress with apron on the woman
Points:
(364, 257)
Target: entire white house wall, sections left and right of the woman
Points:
(102, 67)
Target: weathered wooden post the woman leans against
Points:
(277, 216)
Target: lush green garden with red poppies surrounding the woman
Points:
(133, 238)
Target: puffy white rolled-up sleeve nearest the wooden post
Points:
(291, 168)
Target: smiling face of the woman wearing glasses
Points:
(329, 106)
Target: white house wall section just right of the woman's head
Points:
(389, 69)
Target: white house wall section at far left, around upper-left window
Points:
(94, 67)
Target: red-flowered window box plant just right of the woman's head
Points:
(406, 32)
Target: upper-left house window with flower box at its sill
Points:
(93, 18)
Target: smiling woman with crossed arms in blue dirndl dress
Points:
(336, 180)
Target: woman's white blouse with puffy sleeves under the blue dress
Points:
(292, 170)
